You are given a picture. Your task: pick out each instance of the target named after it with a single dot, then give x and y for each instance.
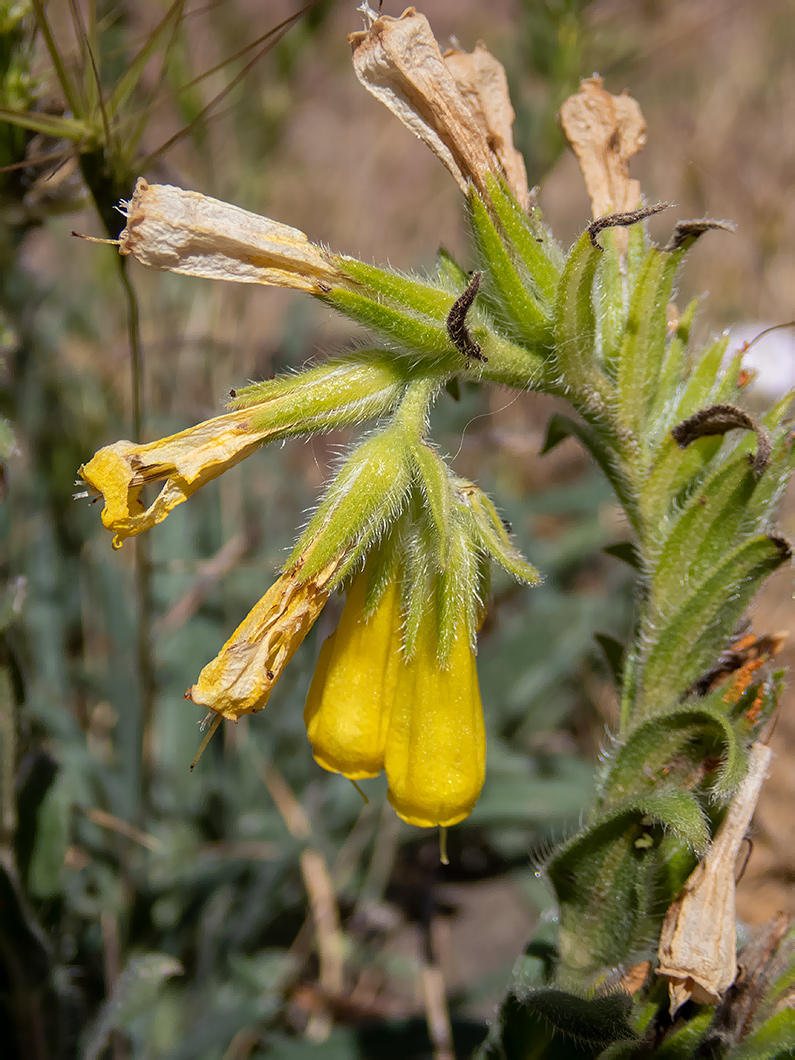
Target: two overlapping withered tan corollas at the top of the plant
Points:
(456, 103)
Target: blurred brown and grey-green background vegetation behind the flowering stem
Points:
(257, 907)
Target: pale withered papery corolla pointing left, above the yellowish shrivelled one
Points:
(169, 228)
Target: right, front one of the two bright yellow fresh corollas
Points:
(435, 755)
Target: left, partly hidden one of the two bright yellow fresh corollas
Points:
(349, 702)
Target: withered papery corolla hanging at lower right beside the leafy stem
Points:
(698, 945)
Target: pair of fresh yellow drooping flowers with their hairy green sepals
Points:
(396, 687)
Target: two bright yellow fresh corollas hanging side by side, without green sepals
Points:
(370, 708)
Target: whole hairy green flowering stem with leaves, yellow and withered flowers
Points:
(699, 479)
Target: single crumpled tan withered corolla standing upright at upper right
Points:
(606, 132)
